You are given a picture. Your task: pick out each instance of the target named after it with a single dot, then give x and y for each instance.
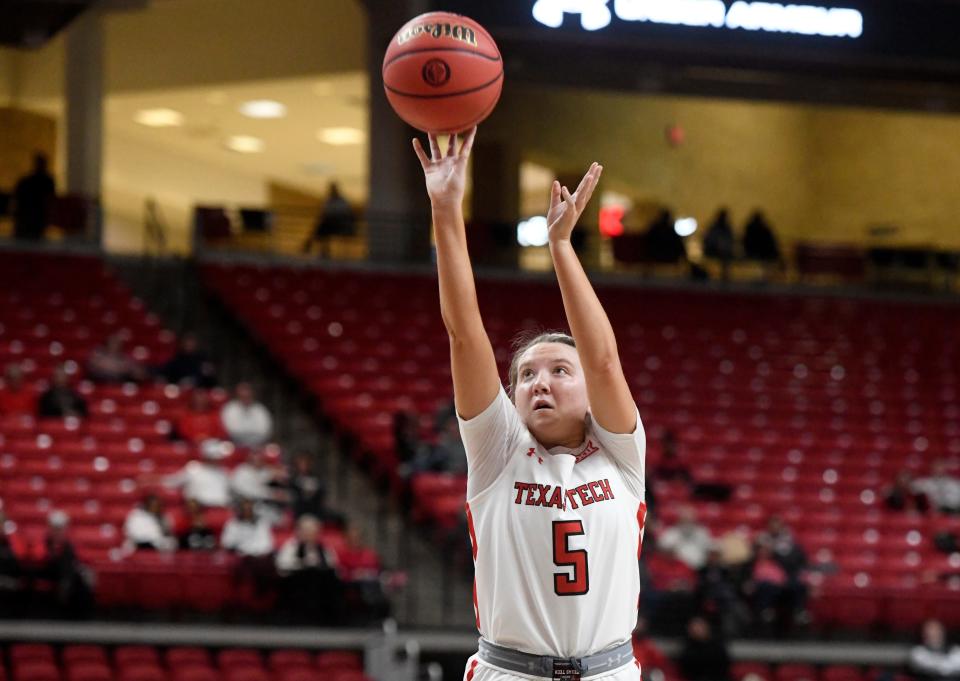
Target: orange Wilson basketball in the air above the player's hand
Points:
(442, 73)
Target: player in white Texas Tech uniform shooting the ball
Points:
(555, 483)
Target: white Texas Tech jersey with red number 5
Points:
(555, 534)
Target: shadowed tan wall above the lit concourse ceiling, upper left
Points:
(177, 43)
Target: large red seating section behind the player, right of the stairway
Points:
(806, 406)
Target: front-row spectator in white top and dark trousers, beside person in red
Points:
(310, 587)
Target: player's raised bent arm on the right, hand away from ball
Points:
(611, 404)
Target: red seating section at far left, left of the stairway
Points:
(54, 310)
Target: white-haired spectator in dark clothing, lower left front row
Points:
(59, 564)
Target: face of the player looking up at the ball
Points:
(551, 395)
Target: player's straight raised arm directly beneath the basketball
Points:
(476, 382)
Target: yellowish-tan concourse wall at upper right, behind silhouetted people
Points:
(819, 173)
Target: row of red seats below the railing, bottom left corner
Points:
(43, 662)
